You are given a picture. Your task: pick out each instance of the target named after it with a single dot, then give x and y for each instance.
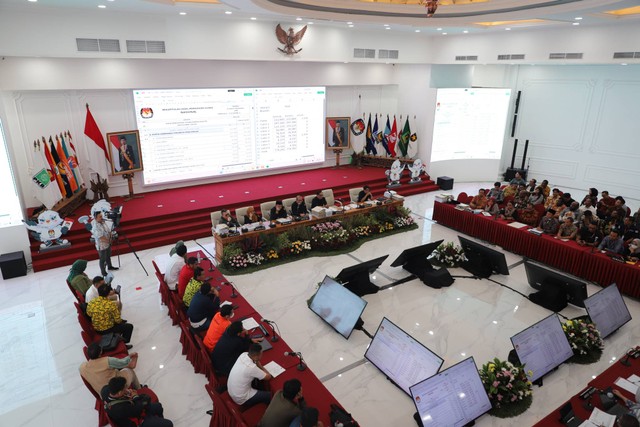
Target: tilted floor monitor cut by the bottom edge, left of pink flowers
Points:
(453, 398)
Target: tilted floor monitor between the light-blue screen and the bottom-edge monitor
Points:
(399, 356)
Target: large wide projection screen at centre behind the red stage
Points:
(188, 134)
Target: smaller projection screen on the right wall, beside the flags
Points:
(469, 132)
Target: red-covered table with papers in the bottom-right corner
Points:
(601, 382)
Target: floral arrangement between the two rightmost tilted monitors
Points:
(585, 340)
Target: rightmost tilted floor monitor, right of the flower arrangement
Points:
(607, 310)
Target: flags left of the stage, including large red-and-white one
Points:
(56, 167)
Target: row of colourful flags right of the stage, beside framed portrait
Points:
(394, 144)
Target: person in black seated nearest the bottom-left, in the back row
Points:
(123, 404)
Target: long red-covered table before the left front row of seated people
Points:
(315, 393)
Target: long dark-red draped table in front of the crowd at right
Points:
(580, 261)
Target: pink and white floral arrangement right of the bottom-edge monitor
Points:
(508, 388)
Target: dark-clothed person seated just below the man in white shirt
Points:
(285, 405)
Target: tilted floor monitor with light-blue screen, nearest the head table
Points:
(337, 306)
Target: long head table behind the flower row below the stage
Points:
(221, 241)
